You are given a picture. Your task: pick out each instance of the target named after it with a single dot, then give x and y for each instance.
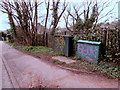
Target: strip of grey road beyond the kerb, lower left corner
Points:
(6, 75)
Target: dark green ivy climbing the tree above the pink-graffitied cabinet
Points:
(88, 22)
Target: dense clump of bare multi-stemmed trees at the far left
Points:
(25, 14)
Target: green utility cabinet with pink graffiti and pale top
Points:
(89, 50)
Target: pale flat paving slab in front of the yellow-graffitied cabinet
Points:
(64, 59)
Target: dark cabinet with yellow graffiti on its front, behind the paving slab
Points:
(63, 44)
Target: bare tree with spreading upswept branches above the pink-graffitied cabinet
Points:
(91, 13)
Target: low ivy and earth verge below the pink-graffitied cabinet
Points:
(107, 69)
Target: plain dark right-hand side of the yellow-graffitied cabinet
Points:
(68, 48)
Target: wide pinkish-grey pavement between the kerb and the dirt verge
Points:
(32, 72)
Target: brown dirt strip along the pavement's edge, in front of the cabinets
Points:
(80, 66)
